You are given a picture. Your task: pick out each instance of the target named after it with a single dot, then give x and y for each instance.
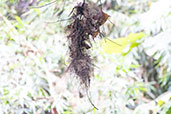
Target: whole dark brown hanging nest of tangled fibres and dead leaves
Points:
(86, 21)
